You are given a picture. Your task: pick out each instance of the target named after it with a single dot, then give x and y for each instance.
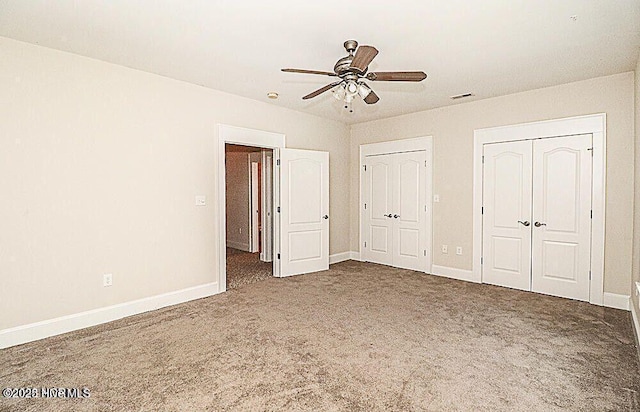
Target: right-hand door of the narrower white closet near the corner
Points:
(409, 234)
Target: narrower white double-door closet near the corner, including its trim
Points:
(395, 217)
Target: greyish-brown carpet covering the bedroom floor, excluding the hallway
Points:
(359, 337)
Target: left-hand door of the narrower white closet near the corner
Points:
(378, 214)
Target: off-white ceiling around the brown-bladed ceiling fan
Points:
(489, 47)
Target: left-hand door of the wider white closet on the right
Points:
(507, 215)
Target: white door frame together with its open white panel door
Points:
(300, 223)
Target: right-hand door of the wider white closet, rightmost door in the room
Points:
(562, 216)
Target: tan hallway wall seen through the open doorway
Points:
(238, 180)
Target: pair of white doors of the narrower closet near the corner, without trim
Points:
(394, 218)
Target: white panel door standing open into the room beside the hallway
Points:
(304, 211)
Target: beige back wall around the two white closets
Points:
(452, 130)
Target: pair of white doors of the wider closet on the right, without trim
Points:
(537, 215)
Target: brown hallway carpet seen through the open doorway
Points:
(244, 268)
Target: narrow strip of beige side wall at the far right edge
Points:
(636, 219)
